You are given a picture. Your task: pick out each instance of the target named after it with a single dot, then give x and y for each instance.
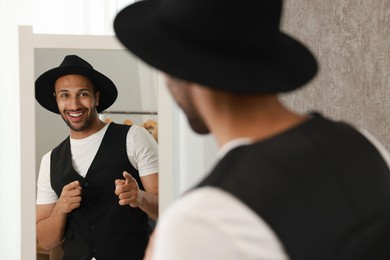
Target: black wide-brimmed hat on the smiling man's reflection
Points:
(73, 64)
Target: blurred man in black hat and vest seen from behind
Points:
(287, 186)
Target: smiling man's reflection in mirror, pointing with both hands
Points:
(98, 188)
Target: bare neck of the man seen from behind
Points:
(256, 118)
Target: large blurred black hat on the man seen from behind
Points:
(224, 44)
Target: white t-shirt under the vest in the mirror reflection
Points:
(141, 150)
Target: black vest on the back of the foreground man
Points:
(322, 188)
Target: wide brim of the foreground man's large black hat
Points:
(290, 66)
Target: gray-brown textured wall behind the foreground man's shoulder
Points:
(351, 39)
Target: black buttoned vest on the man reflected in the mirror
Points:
(100, 227)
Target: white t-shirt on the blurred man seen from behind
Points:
(209, 223)
